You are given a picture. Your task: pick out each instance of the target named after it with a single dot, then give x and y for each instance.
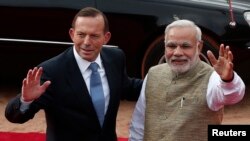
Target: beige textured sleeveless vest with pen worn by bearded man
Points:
(176, 106)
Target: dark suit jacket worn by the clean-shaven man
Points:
(69, 111)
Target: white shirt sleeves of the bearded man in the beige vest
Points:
(219, 93)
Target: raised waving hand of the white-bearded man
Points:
(223, 65)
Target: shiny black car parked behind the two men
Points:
(32, 31)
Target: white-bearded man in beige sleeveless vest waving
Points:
(180, 98)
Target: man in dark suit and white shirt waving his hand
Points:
(61, 85)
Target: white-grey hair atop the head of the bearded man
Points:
(185, 23)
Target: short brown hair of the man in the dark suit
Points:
(91, 12)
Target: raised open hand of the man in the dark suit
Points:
(31, 88)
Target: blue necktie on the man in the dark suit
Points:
(96, 92)
